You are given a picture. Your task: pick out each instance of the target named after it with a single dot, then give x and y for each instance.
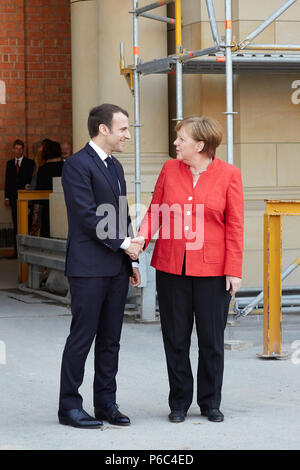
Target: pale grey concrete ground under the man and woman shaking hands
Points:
(260, 397)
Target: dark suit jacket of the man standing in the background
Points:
(14, 182)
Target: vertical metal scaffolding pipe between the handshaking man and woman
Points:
(137, 118)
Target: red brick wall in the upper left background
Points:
(35, 73)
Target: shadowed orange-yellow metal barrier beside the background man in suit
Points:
(23, 197)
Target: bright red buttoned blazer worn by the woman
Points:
(205, 222)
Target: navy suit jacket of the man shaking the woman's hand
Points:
(90, 195)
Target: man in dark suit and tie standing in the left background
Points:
(18, 175)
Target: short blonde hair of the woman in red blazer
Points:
(205, 129)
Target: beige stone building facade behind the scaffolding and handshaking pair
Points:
(266, 128)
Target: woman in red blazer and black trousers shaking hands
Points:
(198, 208)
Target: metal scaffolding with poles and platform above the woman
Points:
(223, 57)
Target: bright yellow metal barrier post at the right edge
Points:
(272, 274)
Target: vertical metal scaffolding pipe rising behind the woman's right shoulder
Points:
(229, 81)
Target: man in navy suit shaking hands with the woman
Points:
(98, 266)
